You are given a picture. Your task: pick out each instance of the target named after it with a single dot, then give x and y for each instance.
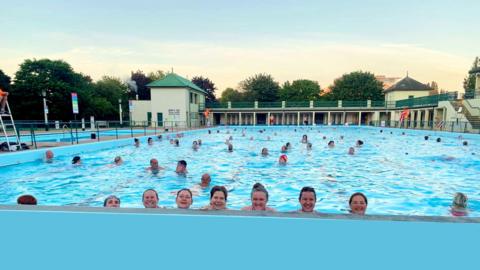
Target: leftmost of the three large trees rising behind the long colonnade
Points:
(260, 87)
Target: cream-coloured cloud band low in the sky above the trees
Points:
(228, 63)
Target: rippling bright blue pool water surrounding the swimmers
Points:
(400, 174)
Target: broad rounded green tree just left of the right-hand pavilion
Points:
(357, 86)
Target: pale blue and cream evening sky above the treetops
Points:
(229, 41)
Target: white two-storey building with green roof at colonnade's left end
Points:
(175, 101)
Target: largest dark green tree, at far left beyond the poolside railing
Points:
(57, 79)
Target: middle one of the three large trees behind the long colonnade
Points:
(300, 90)
